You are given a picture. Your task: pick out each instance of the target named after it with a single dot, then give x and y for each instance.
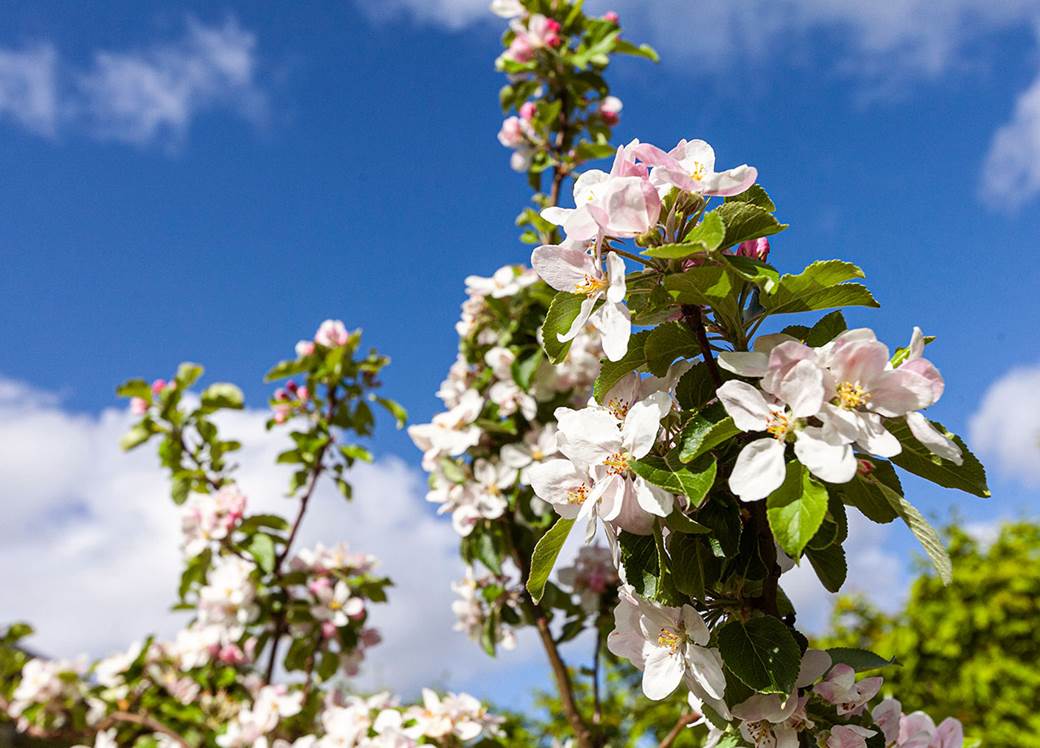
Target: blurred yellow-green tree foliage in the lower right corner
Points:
(971, 651)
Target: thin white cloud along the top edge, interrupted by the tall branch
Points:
(882, 38)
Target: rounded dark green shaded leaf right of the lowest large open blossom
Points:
(762, 653)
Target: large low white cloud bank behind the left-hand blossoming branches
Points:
(90, 541)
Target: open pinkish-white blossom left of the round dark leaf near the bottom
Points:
(668, 644)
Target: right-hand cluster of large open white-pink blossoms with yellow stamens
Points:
(827, 401)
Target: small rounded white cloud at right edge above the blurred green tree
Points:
(1006, 428)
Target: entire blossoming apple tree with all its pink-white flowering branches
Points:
(638, 388)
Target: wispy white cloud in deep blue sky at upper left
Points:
(141, 96)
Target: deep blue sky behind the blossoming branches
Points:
(340, 160)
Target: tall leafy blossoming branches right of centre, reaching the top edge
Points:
(701, 456)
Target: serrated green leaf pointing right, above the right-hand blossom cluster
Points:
(819, 287)
